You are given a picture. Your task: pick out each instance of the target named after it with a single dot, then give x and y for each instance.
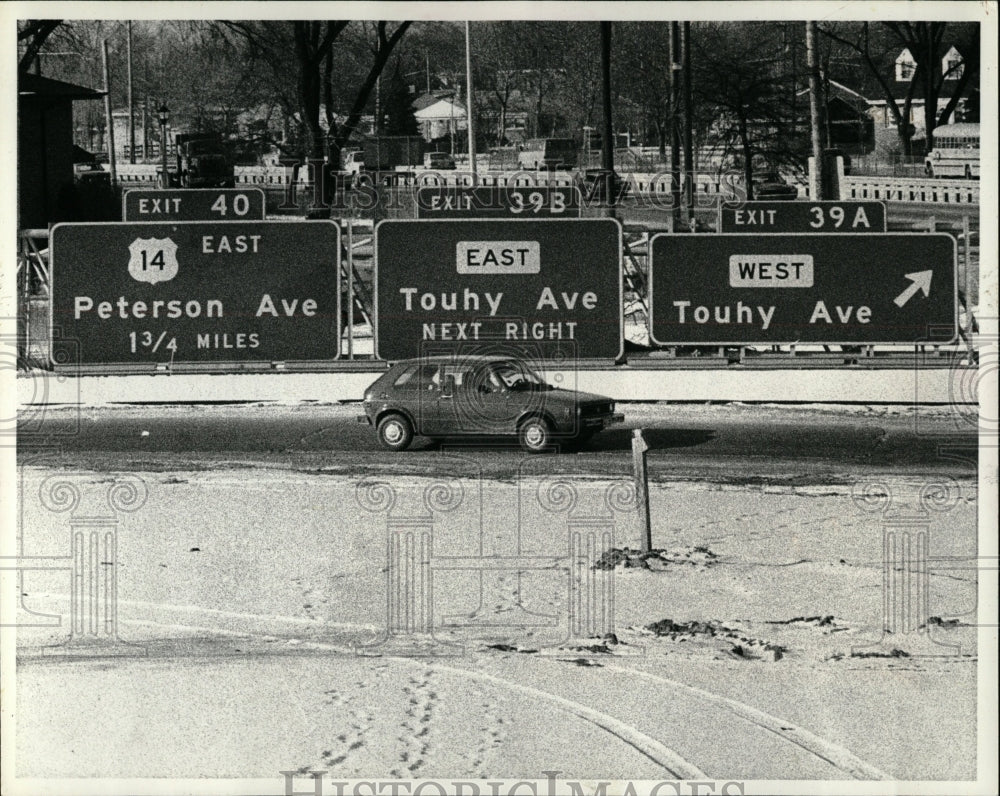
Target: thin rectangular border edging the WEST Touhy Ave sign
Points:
(835, 236)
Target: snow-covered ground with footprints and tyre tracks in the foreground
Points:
(750, 648)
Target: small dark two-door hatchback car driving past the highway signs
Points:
(486, 395)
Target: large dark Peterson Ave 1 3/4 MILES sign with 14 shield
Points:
(198, 292)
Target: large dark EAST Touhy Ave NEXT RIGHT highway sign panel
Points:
(551, 283)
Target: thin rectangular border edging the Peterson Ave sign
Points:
(145, 366)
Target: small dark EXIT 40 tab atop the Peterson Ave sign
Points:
(194, 204)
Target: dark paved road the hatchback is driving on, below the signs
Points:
(730, 441)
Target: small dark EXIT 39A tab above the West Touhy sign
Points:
(820, 217)
